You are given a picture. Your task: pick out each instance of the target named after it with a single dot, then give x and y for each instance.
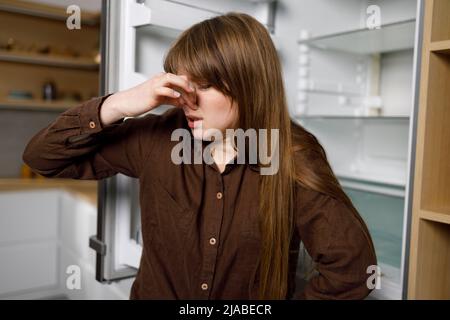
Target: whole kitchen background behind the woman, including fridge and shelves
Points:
(368, 78)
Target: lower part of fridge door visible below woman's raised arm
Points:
(117, 242)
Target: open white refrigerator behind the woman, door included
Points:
(350, 71)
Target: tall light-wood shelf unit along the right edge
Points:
(429, 265)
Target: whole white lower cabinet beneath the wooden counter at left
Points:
(43, 235)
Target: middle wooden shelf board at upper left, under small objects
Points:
(48, 60)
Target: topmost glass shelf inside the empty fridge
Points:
(390, 37)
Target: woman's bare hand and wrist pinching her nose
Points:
(163, 88)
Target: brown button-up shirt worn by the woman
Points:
(200, 227)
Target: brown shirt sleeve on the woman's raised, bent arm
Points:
(76, 145)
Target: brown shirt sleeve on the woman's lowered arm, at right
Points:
(338, 241)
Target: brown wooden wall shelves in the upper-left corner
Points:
(36, 45)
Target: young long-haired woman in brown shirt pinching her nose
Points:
(220, 230)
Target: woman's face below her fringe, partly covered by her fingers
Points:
(215, 111)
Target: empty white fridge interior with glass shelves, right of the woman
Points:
(356, 94)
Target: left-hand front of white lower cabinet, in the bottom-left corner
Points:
(28, 241)
